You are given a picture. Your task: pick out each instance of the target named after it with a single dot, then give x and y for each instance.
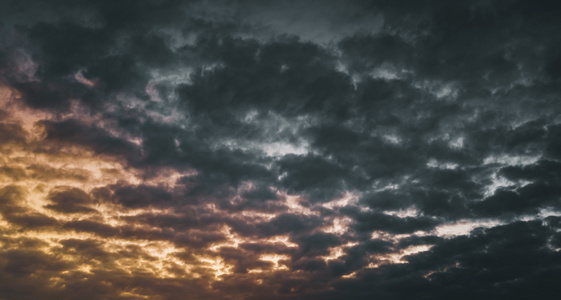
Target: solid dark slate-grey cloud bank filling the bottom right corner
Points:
(465, 266)
